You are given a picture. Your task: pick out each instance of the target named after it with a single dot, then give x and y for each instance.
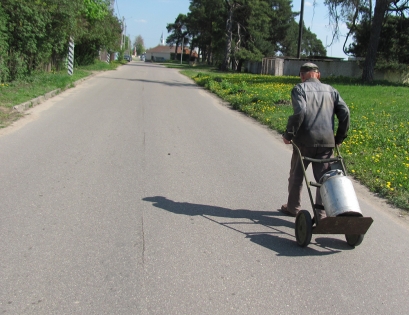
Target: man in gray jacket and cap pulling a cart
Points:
(311, 128)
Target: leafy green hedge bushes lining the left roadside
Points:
(38, 32)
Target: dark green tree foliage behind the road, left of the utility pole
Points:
(228, 32)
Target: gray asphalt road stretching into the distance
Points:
(138, 192)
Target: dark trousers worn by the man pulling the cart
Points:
(296, 179)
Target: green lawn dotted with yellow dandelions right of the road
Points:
(376, 150)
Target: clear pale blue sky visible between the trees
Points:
(149, 18)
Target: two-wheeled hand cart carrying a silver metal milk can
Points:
(340, 204)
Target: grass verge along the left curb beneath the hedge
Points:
(38, 84)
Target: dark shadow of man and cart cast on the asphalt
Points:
(275, 239)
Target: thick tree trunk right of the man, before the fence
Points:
(380, 8)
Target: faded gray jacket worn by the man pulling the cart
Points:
(312, 124)
